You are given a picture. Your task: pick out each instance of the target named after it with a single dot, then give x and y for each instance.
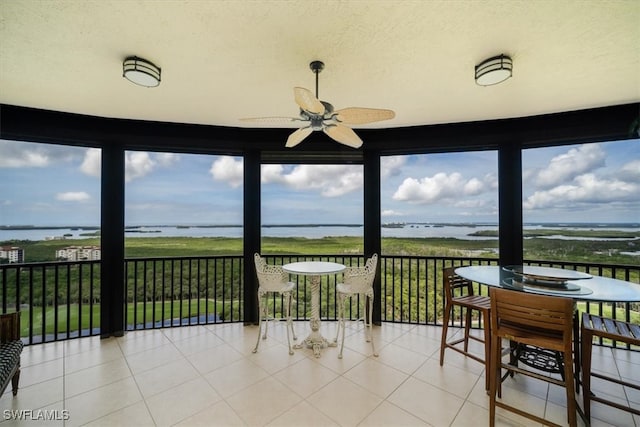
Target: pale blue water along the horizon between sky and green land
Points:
(458, 231)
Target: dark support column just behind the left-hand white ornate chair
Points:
(252, 224)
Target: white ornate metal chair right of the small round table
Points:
(357, 282)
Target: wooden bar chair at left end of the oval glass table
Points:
(459, 293)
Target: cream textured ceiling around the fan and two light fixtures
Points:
(224, 60)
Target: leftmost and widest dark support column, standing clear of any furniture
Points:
(112, 286)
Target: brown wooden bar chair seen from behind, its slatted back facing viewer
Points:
(542, 321)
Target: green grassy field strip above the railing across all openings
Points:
(539, 248)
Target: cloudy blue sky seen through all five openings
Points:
(58, 185)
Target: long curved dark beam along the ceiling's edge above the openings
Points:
(592, 125)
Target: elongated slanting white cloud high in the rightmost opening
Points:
(565, 167)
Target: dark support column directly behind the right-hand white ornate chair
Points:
(372, 221)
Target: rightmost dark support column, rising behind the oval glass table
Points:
(510, 203)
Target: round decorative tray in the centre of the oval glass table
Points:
(546, 279)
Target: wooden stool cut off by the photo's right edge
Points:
(616, 330)
